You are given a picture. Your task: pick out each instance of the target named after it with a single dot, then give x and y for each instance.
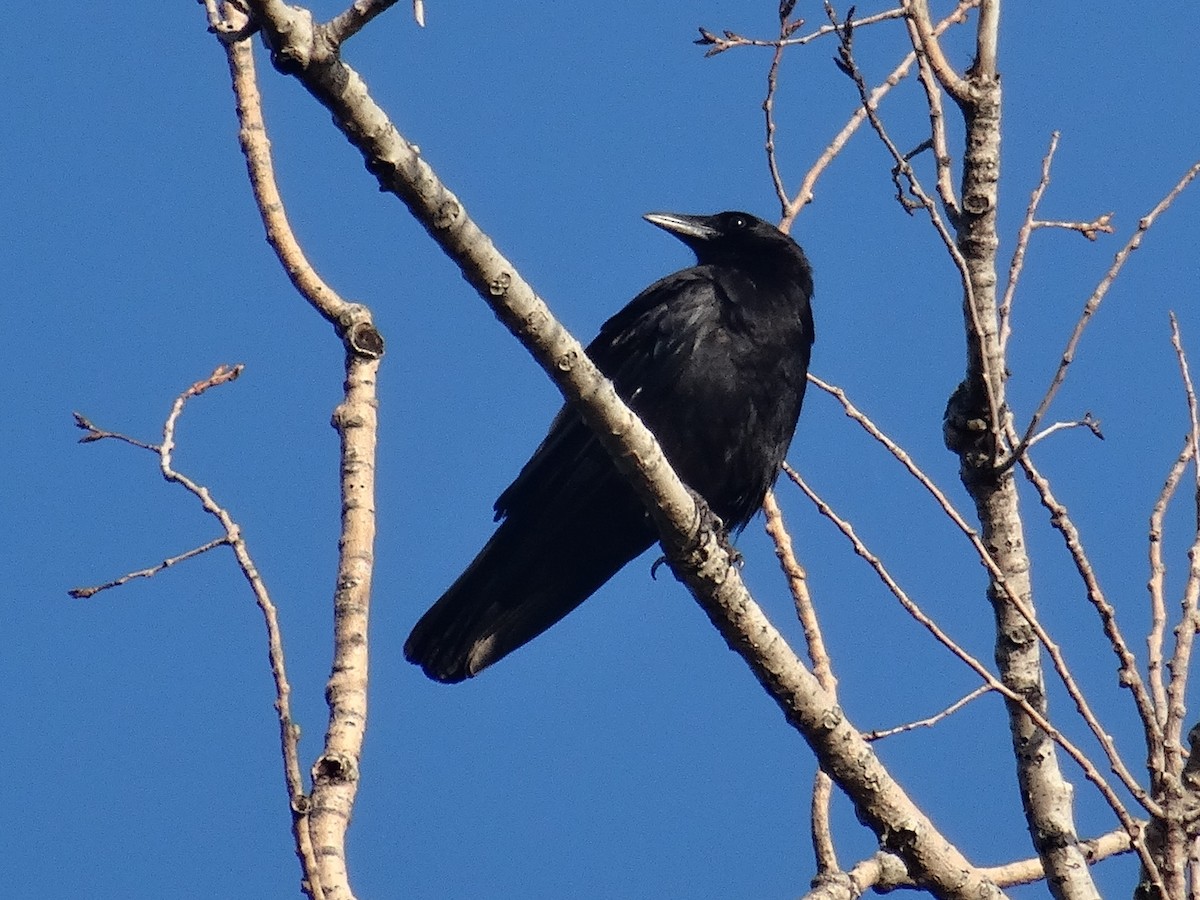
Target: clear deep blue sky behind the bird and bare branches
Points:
(627, 753)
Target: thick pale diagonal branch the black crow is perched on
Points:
(697, 553)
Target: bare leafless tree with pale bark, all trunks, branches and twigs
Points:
(1155, 808)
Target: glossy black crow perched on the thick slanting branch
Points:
(715, 361)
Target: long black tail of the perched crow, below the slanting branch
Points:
(513, 592)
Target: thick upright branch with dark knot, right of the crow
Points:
(975, 418)
